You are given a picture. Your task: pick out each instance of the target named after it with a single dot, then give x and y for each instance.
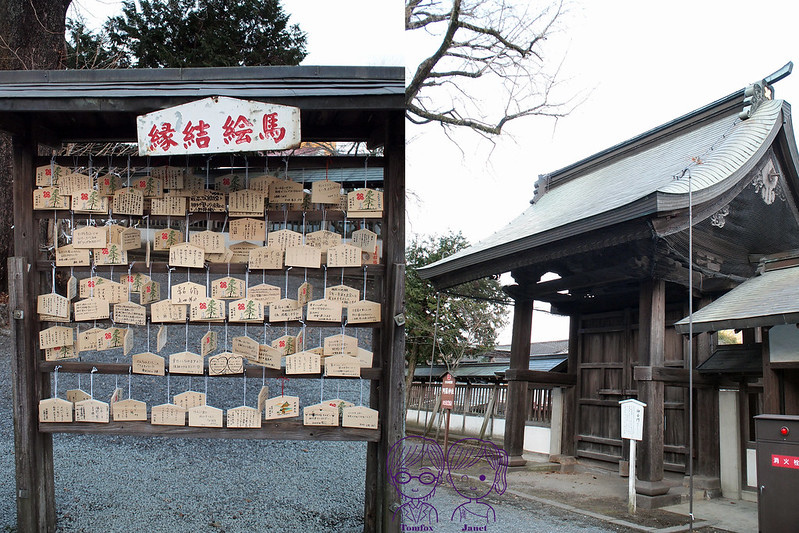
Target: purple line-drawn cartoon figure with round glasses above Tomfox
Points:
(415, 466)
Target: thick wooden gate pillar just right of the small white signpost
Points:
(651, 352)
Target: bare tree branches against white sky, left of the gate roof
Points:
(488, 67)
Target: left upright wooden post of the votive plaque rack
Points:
(35, 492)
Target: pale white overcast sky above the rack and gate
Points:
(638, 64)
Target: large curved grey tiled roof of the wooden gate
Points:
(636, 179)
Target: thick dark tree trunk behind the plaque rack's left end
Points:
(31, 38)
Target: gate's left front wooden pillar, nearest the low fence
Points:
(516, 406)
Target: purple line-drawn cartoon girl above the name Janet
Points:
(475, 468)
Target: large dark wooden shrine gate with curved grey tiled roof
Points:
(615, 228)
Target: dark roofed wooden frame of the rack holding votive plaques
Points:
(333, 117)
